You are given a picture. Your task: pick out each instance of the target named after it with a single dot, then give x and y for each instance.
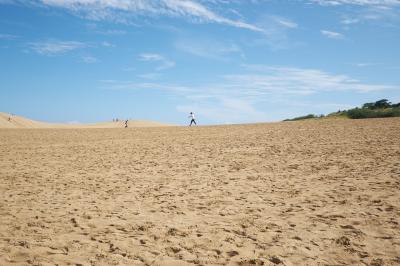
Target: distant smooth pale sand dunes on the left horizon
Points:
(15, 121)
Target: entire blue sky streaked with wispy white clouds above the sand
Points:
(237, 61)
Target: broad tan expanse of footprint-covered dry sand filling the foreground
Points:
(296, 193)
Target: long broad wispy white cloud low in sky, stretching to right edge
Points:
(263, 80)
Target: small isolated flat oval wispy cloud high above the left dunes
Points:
(54, 47)
